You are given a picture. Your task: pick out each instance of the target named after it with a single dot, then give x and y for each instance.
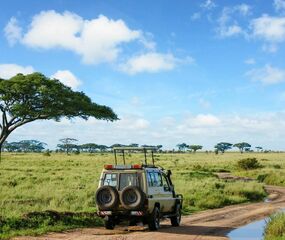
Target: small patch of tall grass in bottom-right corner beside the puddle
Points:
(275, 228)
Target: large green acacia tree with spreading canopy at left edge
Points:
(27, 98)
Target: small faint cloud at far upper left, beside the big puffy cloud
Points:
(12, 31)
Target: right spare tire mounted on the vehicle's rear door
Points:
(132, 198)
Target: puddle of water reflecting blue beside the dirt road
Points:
(252, 231)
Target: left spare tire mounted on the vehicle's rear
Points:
(107, 198)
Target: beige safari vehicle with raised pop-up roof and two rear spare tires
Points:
(137, 193)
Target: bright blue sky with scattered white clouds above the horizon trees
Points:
(198, 72)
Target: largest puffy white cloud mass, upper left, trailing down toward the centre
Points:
(97, 40)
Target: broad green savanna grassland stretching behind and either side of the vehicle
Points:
(66, 184)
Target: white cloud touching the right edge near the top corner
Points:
(270, 29)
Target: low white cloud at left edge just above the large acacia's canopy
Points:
(9, 70)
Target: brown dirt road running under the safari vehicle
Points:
(207, 225)
